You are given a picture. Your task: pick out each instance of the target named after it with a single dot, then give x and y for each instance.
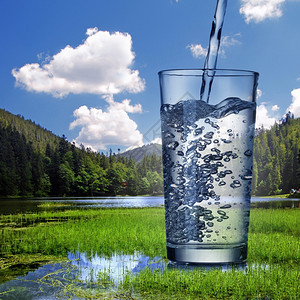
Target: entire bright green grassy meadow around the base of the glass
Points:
(273, 256)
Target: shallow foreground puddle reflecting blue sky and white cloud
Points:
(92, 274)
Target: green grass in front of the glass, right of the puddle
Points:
(256, 282)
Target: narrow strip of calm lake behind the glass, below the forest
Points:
(25, 205)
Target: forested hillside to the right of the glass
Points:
(276, 166)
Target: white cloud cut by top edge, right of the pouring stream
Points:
(259, 10)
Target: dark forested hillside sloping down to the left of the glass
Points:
(35, 162)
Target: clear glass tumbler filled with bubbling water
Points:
(207, 164)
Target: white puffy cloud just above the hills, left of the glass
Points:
(111, 127)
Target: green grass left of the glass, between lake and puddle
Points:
(103, 231)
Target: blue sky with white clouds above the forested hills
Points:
(88, 69)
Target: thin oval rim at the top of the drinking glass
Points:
(231, 72)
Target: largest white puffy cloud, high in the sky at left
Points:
(100, 65)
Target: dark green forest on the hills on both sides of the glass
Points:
(35, 162)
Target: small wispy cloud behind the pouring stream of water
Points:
(199, 51)
